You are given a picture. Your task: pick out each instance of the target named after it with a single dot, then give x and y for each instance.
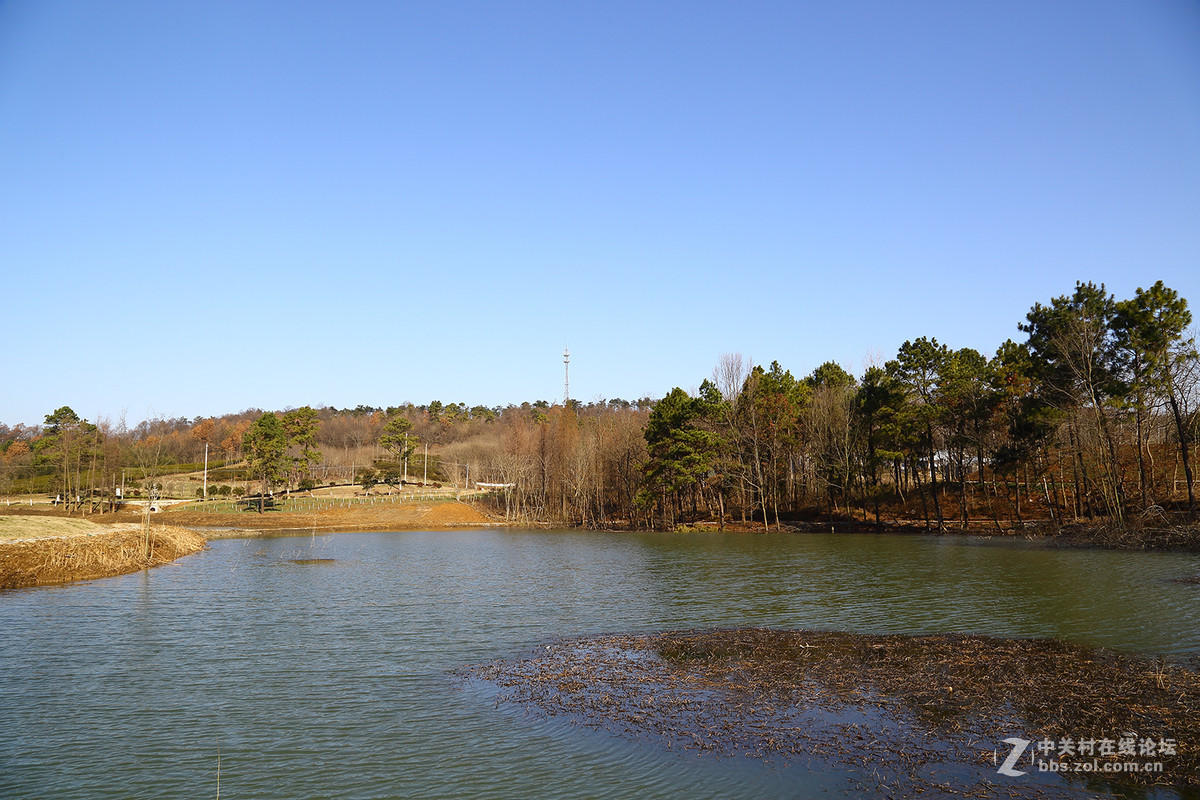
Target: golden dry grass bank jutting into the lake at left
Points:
(115, 551)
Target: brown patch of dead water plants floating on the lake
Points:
(907, 708)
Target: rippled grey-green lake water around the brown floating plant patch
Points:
(332, 681)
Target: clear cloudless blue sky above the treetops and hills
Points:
(215, 206)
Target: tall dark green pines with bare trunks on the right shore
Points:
(1093, 416)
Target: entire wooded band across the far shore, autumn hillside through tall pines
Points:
(1093, 416)
